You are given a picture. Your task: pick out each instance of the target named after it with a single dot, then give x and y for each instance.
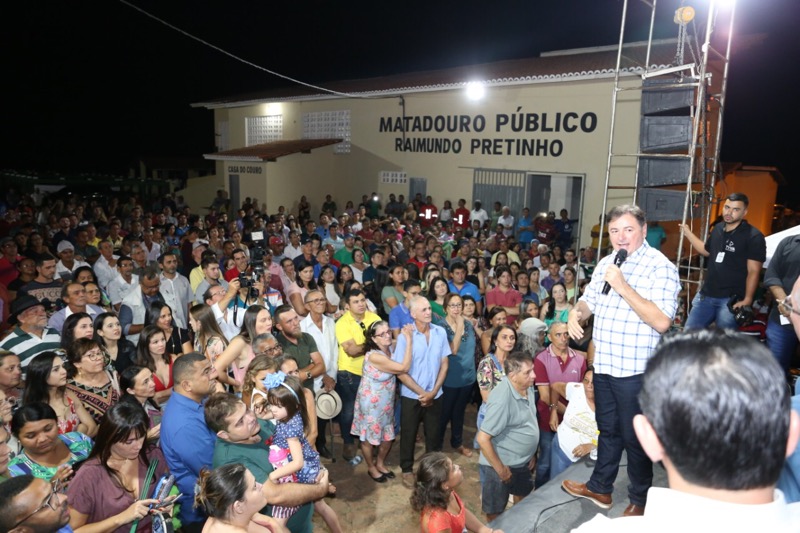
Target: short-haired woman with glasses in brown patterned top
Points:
(89, 380)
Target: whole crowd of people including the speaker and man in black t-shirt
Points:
(143, 341)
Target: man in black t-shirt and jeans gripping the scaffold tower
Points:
(735, 252)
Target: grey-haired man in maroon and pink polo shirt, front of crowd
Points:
(557, 363)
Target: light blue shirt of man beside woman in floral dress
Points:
(426, 358)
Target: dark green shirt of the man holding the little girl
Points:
(256, 458)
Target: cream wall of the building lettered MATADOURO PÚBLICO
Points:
(449, 176)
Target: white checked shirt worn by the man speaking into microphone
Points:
(623, 342)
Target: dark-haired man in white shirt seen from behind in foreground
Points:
(716, 412)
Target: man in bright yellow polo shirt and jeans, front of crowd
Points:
(350, 334)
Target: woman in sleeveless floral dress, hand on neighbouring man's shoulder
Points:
(373, 417)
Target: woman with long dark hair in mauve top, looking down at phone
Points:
(105, 494)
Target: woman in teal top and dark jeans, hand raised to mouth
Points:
(460, 378)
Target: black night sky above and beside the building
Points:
(92, 85)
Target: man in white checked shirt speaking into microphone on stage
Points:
(629, 320)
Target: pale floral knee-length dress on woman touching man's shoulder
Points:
(373, 415)
